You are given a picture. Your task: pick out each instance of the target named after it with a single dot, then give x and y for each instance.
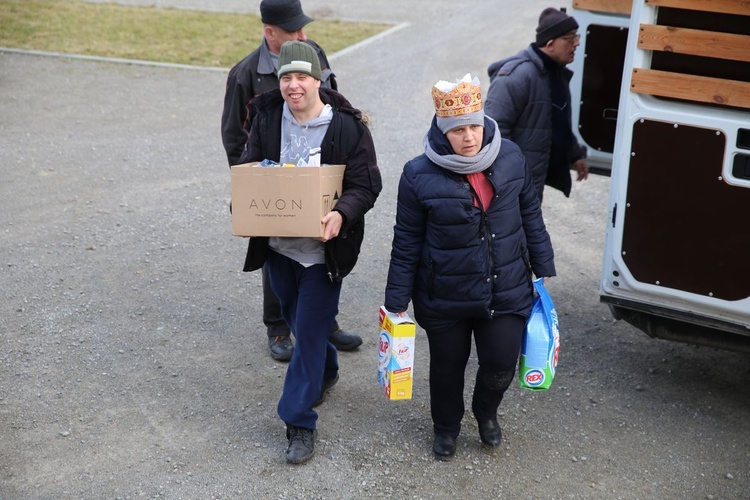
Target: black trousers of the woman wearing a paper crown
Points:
(498, 343)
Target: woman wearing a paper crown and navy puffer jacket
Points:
(469, 233)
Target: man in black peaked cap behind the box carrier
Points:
(283, 21)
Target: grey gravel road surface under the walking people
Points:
(133, 360)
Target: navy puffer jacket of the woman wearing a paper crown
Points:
(456, 261)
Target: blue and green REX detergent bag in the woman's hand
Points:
(541, 343)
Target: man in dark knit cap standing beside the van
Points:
(529, 98)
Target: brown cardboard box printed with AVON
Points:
(283, 201)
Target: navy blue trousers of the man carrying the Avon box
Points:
(309, 304)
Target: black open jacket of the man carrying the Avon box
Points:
(347, 142)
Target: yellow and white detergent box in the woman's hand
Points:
(396, 354)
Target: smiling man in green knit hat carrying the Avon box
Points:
(291, 123)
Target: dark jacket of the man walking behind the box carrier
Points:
(246, 81)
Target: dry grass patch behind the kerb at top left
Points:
(151, 33)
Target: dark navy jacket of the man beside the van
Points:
(519, 100)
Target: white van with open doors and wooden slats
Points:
(677, 252)
